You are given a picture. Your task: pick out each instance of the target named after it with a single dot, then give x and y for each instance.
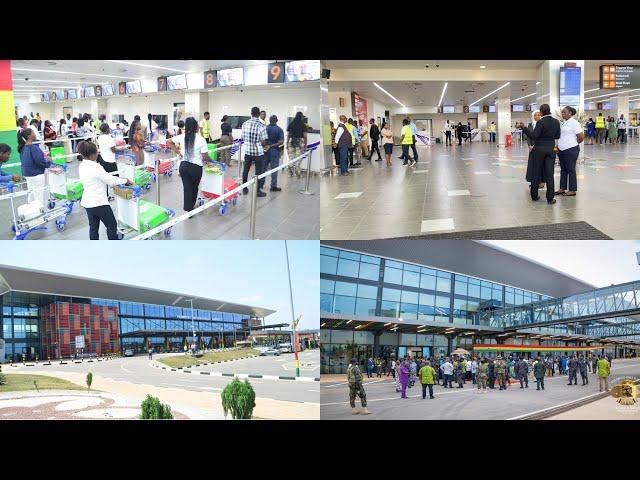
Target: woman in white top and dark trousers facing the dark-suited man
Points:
(571, 135)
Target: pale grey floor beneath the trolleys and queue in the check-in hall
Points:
(280, 215)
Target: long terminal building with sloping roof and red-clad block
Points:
(43, 313)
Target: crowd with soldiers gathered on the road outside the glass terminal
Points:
(481, 372)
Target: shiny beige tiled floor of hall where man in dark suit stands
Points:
(478, 186)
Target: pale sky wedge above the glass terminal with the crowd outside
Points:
(598, 262)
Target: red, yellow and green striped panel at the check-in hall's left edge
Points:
(8, 133)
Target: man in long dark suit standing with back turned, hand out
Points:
(543, 154)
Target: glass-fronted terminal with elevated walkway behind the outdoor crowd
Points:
(394, 298)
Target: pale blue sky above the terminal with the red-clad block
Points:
(249, 272)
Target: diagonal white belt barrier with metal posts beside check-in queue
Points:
(230, 193)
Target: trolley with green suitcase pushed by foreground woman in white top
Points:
(135, 214)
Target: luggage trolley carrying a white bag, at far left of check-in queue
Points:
(30, 216)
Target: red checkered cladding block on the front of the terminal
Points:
(62, 322)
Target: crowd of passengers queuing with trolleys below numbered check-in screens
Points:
(98, 141)
